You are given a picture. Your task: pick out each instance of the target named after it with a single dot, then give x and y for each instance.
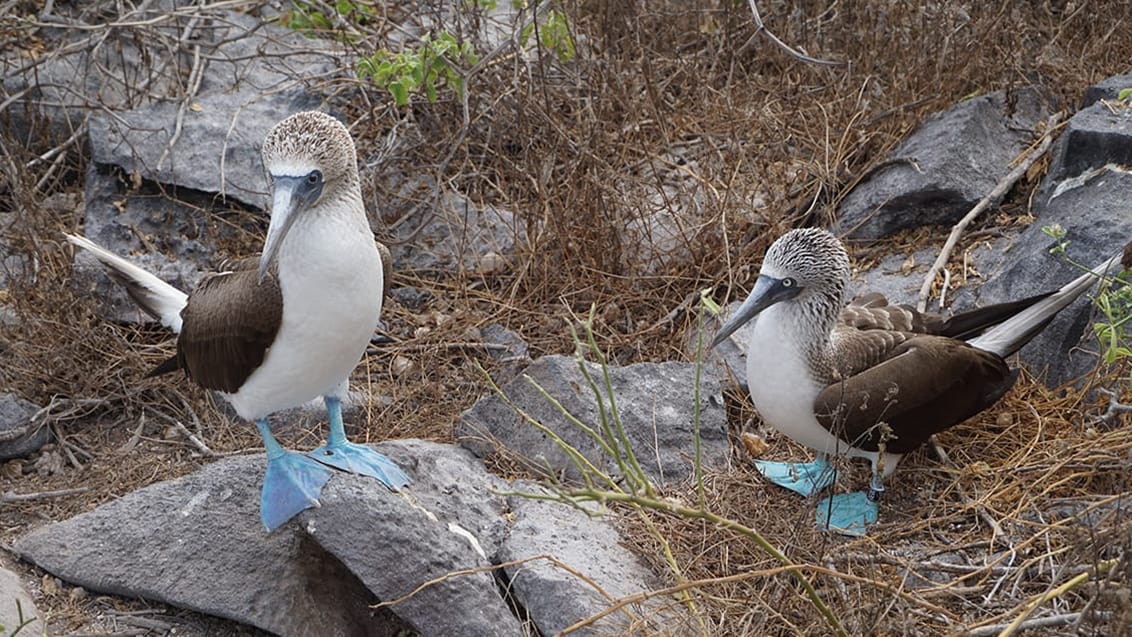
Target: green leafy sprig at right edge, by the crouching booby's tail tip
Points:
(1113, 302)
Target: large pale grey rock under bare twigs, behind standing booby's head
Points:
(140, 117)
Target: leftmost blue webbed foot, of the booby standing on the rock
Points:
(291, 485)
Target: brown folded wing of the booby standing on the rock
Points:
(229, 324)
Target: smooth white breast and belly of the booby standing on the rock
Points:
(331, 279)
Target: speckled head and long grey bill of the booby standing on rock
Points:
(310, 159)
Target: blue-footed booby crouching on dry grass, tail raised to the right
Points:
(869, 380)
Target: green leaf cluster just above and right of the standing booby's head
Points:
(438, 63)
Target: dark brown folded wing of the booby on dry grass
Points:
(921, 385)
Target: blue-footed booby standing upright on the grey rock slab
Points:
(276, 332)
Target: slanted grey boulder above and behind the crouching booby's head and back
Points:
(945, 167)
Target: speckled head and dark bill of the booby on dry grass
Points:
(802, 265)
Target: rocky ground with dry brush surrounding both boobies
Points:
(559, 199)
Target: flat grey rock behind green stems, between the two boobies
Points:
(655, 402)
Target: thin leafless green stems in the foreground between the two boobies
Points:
(636, 490)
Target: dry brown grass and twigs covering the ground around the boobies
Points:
(668, 105)
